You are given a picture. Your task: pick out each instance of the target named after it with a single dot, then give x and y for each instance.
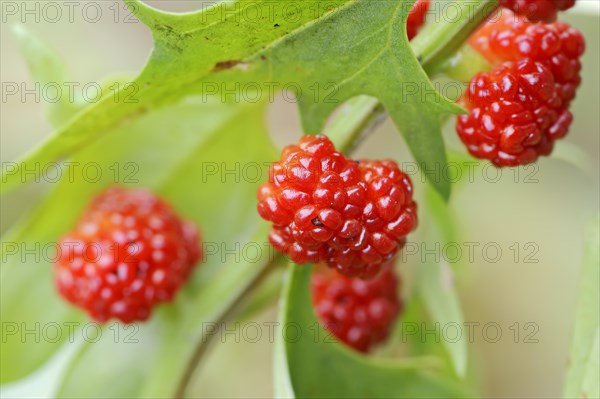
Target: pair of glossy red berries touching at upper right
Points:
(519, 109)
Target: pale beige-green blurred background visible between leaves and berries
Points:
(551, 213)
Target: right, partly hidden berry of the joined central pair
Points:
(384, 197)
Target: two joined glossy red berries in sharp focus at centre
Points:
(324, 207)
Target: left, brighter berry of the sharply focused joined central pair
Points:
(309, 198)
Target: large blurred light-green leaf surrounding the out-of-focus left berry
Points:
(183, 152)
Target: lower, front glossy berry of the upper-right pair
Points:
(516, 114)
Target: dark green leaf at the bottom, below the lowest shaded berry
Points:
(308, 363)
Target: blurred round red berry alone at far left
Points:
(128, 252)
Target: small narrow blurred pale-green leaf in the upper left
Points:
(48, 70)
